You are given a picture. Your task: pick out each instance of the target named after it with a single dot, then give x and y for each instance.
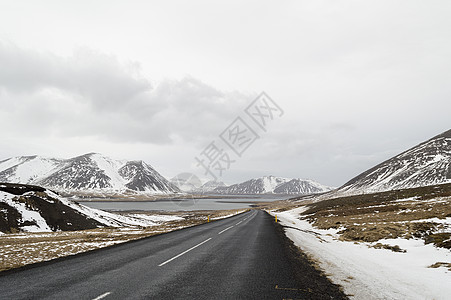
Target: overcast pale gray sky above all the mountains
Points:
(358, 81)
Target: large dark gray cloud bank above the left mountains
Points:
(92, 94)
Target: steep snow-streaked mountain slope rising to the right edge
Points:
(429, 163)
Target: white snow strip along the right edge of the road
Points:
(368, 273)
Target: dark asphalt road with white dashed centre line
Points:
(242, 257)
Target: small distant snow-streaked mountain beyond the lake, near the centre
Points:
(272, 184)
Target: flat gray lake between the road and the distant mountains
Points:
(215, 203)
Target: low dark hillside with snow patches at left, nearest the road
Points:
(28, 208)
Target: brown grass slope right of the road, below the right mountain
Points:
(372, 217)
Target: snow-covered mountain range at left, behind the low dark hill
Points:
(91, 171)
